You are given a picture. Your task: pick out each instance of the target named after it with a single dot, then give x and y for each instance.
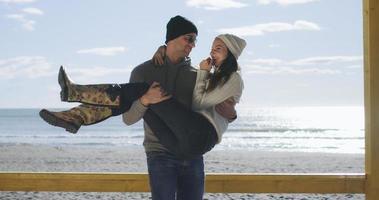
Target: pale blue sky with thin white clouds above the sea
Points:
(298, 53)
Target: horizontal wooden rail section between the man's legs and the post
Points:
(286, 183)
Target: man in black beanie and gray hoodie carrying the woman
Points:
(170, 177)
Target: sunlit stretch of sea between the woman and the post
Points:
(304, 129)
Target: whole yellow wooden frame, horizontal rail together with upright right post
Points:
(367, 183)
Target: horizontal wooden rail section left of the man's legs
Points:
(74, 182)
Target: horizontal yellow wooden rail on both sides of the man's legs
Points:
(215, 183)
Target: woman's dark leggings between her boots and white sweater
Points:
(180, 130)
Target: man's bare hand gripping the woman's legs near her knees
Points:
(154, 95)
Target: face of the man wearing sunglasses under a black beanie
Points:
(184, 43)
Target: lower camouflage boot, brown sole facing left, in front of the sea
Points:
(72, 119)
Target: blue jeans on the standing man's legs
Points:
(172, 178)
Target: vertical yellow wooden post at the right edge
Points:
(371, 76)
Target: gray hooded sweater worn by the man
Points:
(178, 80)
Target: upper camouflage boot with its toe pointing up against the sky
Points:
(99, 94)
